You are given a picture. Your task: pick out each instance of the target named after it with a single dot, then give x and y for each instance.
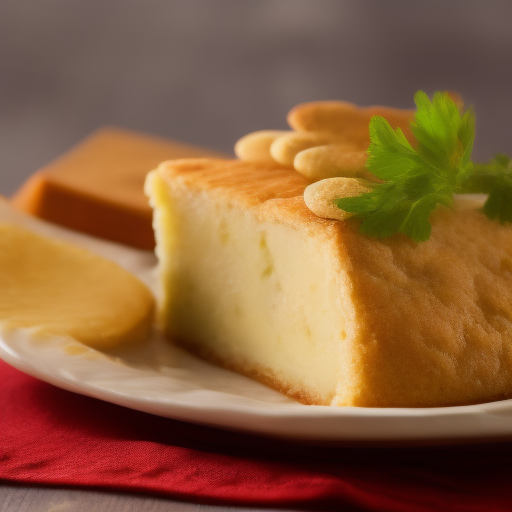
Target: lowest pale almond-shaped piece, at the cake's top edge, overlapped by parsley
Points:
(319, 196)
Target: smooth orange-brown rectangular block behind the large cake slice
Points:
(97, 187)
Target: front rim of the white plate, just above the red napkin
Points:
(276, 419)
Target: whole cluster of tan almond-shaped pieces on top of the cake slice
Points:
(328, 141)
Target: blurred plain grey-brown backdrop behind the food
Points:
(209, 71)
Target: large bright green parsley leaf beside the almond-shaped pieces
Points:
(414, 180)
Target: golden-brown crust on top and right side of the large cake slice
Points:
(434, 320)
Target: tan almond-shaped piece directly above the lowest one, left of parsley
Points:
(331, 161)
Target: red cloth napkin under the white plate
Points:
(55, 437)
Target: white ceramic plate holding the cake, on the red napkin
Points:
(164, 380)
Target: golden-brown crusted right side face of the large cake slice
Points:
(437, 316)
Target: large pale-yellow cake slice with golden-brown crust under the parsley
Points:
(252, 280)
